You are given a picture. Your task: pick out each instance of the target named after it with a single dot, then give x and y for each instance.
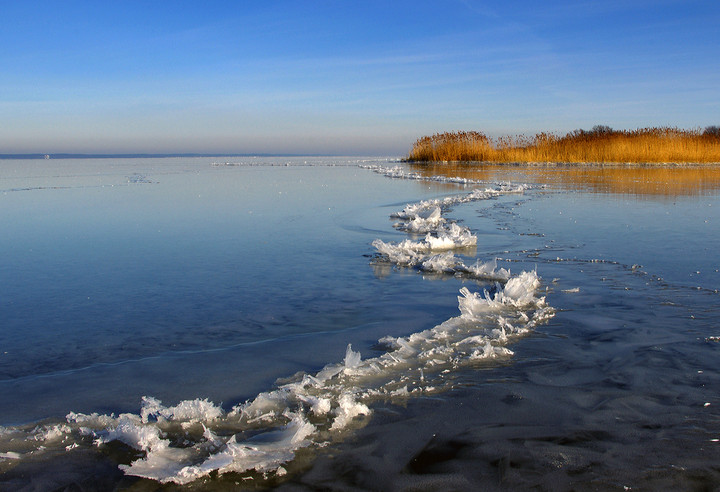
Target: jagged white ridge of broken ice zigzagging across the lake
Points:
(194, 438)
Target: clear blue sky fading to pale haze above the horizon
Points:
(342, 77)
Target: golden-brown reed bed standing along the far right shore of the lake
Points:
(601, 144)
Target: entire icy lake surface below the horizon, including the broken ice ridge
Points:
(199, 280)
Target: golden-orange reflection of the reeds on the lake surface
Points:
(631, 180)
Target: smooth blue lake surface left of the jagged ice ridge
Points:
(116, 274)
